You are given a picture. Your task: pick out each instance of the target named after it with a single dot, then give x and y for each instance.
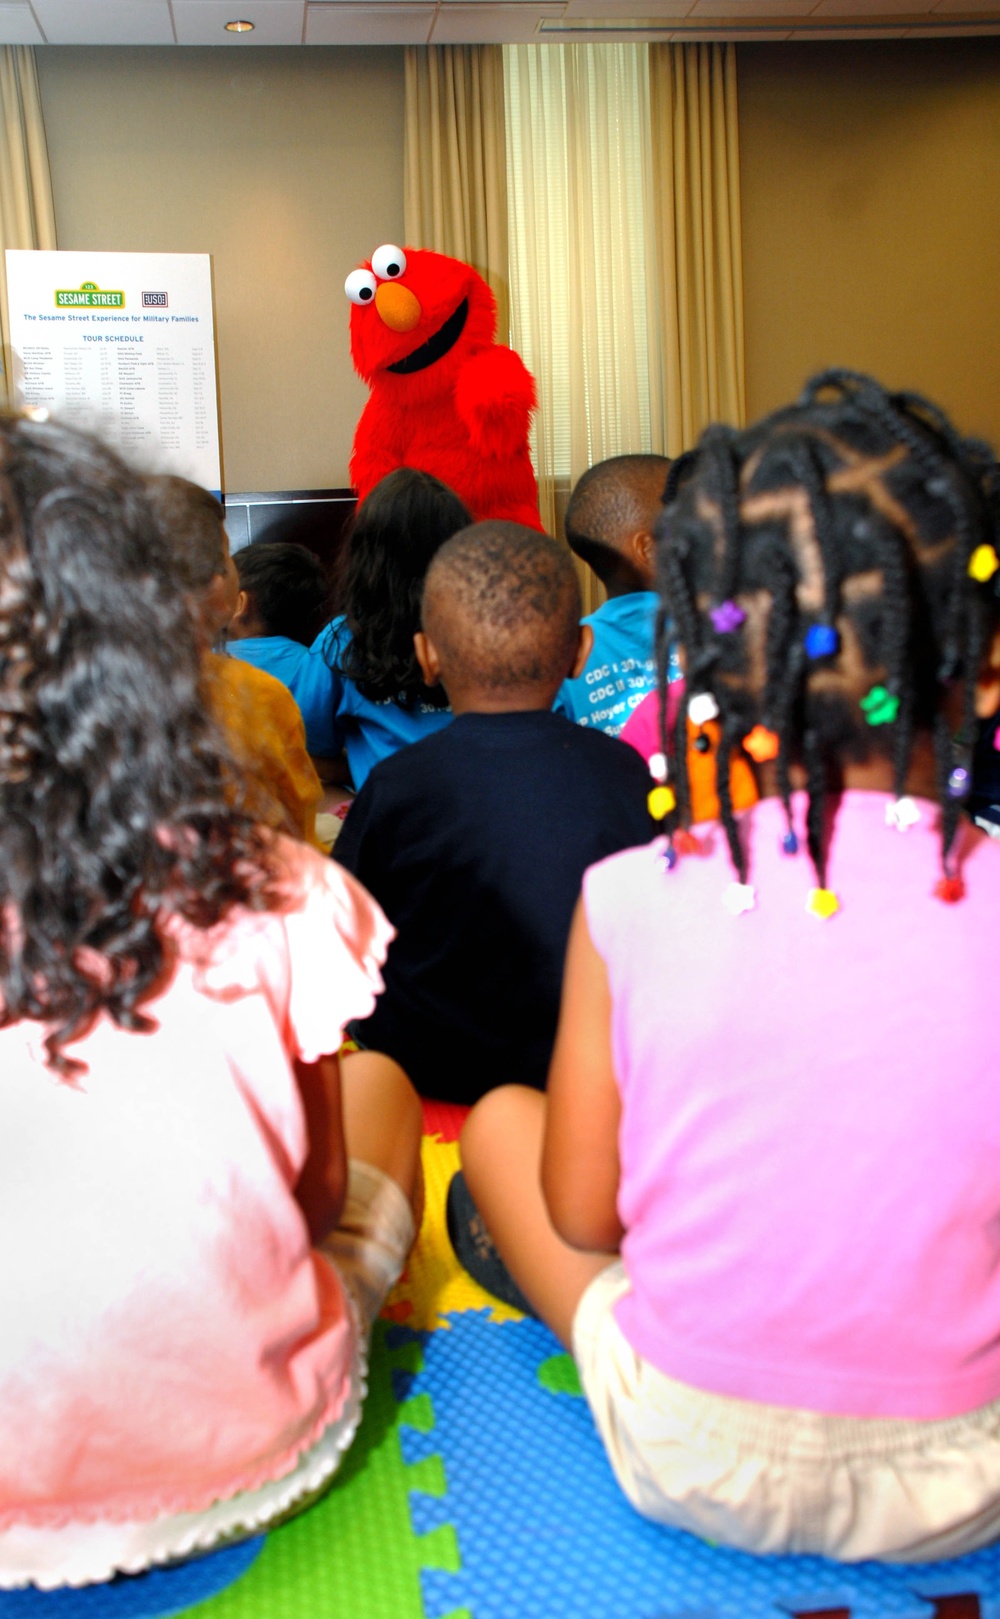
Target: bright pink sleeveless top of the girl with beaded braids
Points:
(810, 1131)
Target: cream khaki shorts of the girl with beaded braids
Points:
(769, 1479)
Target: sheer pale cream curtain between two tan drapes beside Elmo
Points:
(577, 125)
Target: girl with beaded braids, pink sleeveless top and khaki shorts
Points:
(761, 1199)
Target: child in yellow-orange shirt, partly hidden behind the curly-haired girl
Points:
(263, 725)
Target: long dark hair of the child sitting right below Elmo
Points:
(394, 535)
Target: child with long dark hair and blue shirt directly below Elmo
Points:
(379, 700)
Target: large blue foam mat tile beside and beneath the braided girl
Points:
(546, 1534)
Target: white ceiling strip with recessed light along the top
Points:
(478, 22)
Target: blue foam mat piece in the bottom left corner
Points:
(155, 1596)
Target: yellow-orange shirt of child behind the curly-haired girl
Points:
(268, 741)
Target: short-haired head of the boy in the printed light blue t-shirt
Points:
(611, 503)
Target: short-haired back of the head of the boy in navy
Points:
(502, 606)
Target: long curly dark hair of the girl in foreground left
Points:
(116, 789)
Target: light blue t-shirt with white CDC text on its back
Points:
(622, 666)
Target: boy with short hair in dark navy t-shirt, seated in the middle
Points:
(475, 841)
